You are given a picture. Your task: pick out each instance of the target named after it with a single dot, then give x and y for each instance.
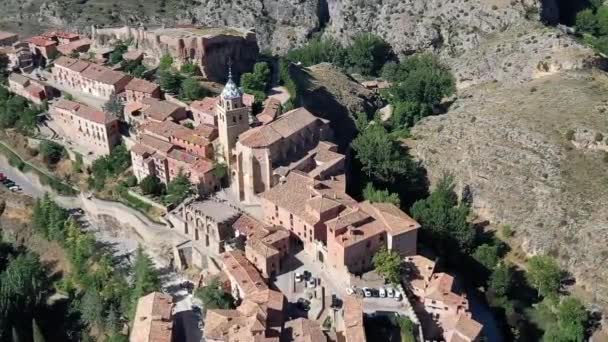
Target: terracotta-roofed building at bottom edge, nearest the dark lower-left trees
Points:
(153, 321)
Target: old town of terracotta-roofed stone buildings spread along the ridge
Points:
(265, 217)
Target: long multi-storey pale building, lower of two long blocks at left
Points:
(90, 128)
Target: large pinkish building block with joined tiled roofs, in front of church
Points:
(332, 227)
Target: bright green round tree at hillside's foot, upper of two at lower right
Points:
(544, 274)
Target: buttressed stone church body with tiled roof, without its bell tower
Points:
(262, 152)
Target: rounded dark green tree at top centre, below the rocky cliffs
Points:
(367, 54)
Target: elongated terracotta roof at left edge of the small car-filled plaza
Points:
(244, 273)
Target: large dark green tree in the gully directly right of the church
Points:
(381, 157)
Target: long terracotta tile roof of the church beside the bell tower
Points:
(285, 126)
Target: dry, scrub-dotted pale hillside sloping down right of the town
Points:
(534, 156)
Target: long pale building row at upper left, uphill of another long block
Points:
(89, 78)
